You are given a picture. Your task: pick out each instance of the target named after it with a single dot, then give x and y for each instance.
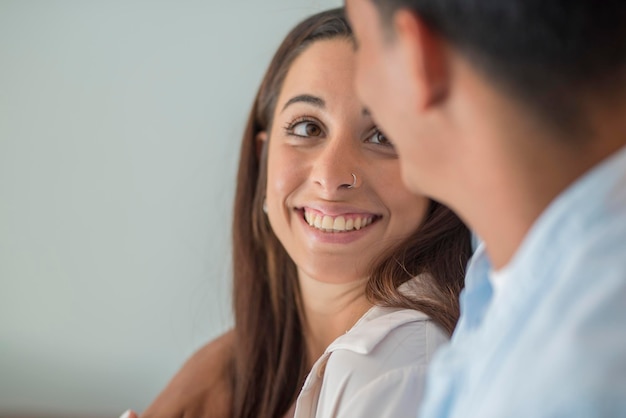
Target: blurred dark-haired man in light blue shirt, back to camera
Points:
(513, 113)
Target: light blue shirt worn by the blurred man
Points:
(550, 339)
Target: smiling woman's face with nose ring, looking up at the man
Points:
(321, 135)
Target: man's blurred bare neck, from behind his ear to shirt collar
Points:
(510, 164)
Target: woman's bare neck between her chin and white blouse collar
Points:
(330, 310)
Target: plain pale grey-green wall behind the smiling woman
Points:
(120, 124)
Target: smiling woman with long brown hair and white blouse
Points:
(340, 273)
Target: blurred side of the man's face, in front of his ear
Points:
(388, 83)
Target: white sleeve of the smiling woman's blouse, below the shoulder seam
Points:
(387, 382)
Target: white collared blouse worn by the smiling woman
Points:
(377, 369)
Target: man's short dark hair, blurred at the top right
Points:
(550, 53)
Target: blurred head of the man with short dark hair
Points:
(546, 57)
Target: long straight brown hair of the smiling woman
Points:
(270, 354)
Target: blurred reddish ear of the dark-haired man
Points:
(425, 56)
